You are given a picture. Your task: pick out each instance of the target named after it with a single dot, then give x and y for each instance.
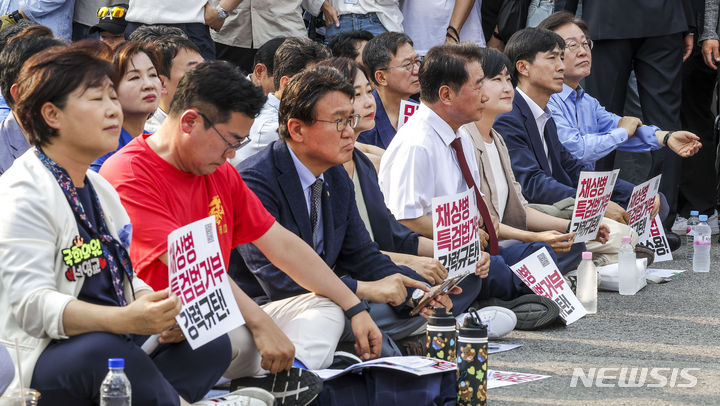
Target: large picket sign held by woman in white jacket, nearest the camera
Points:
(197, 275)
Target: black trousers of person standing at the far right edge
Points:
(697, 188)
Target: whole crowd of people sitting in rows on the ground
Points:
(323, 199)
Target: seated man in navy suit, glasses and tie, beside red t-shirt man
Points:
(316, 127)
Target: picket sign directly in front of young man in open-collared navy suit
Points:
(591, 201)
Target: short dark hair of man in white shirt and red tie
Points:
(444, 65)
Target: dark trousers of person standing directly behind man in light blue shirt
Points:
(657, 62)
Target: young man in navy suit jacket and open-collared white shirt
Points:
(546, 171)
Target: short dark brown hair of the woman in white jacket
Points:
(50, 76)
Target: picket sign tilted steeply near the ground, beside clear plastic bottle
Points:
(541, 274)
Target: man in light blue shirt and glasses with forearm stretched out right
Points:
(584, 127)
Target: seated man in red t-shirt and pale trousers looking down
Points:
(180, 175)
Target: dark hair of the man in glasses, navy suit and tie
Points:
(303, 92)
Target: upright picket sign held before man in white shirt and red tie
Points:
(455, 231)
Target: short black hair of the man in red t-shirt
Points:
(217, 88)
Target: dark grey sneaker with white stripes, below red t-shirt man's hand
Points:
(294, 387)
